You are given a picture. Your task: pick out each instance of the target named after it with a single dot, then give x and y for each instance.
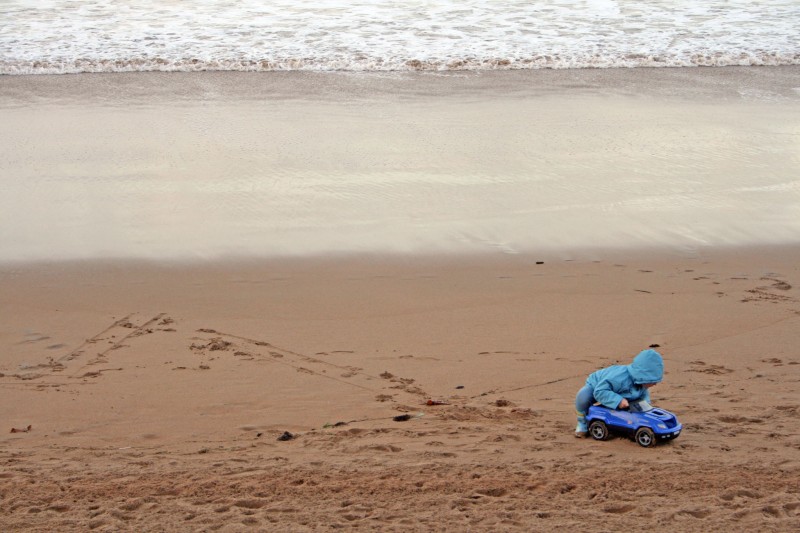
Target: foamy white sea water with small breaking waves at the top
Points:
(73, 36)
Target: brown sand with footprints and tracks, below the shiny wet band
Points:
(156, 394)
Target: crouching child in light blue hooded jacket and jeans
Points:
(616, 385)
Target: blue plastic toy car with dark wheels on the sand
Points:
(645, 423)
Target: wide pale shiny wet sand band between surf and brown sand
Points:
(184, 166)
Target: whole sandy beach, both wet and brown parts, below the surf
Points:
(250, 380)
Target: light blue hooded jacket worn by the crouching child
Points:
(613, 383)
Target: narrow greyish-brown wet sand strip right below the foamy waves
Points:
(673, 82)
